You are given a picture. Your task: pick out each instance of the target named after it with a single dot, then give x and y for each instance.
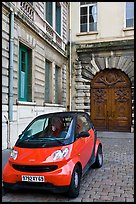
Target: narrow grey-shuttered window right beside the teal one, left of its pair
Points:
(48, 81)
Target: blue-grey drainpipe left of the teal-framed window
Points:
(11, 61)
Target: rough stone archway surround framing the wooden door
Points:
(89, 65)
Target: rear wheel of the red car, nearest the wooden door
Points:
(99, 158)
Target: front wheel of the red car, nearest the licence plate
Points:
(75, 183)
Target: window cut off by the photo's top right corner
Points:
(129, 14)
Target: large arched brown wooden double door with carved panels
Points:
(111, 101)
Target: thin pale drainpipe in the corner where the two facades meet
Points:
(70, 56)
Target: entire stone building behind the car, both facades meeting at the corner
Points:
(60, 56)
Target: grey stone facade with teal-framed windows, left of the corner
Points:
(34, 63)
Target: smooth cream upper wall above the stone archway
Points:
(110, 23)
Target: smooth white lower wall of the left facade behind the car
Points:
(22, 116)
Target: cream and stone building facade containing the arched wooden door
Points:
(102, 40)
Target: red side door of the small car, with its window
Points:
(85, 144)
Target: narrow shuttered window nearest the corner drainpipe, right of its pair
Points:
(57, 85)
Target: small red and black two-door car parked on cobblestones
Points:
(53, 153)
